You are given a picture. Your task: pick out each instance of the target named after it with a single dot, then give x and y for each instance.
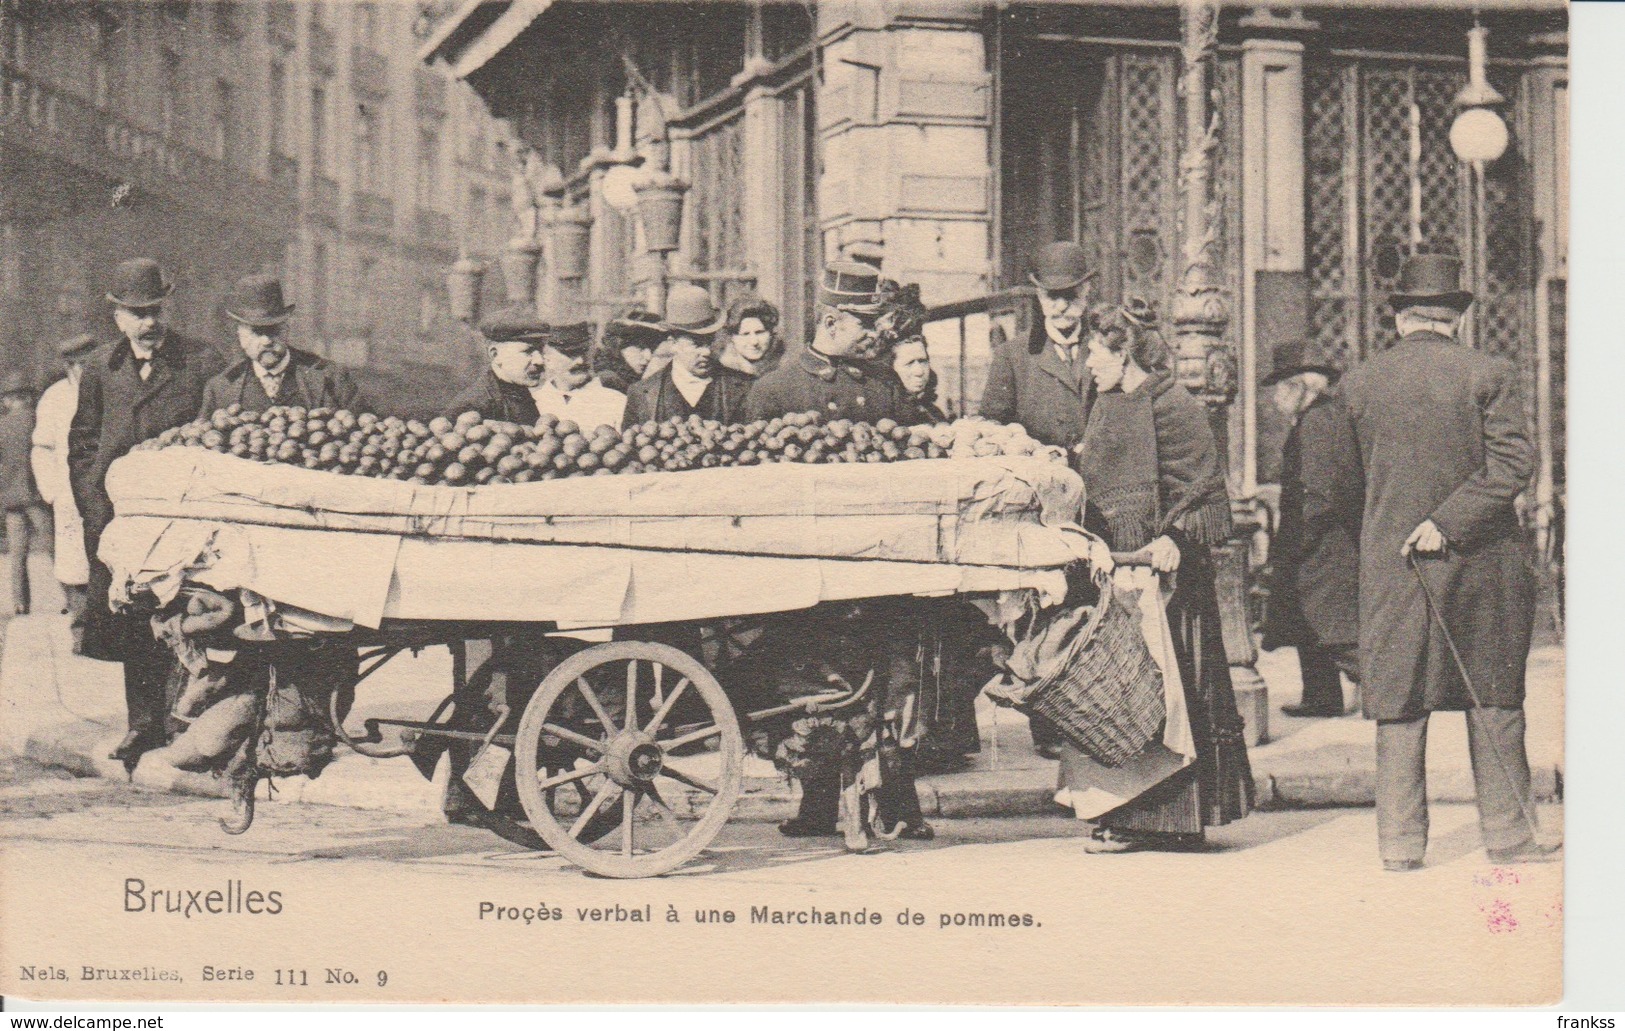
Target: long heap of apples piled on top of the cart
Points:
(480, 451)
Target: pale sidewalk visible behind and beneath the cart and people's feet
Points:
(67, 711)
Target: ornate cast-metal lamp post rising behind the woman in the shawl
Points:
(1203, 357)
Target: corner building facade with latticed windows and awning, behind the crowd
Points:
(1257, 173)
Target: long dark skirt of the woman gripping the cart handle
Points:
(1218, 788)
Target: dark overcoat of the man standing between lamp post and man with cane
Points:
(1315, 555)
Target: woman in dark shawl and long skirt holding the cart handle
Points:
(1155, 484)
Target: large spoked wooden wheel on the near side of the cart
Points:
(635, 757)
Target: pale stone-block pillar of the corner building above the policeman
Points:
(906, 115)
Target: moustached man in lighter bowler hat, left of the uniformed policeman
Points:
(696, 383)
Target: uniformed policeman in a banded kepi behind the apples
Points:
(836, 375)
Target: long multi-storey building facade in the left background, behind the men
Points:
(253, 136)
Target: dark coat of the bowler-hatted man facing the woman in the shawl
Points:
(1033, 386)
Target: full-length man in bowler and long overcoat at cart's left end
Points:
(147, 381)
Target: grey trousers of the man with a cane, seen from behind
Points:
(1501, 778)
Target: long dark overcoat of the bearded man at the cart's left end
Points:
(118, 411)
